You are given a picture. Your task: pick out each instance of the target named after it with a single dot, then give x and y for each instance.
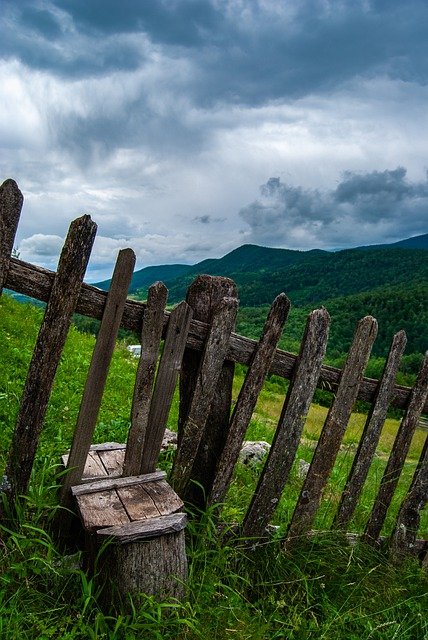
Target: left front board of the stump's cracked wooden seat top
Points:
(102, 509)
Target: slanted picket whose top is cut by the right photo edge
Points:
(398, 455)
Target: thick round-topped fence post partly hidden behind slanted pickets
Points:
(203, 296)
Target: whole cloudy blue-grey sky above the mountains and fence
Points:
(189, 127)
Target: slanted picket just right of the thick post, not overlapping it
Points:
(248, 396)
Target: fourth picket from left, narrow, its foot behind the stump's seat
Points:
(150, 344)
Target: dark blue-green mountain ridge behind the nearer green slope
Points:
(308, 277)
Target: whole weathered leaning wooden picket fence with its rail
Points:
(201, 349)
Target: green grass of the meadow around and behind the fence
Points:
(322, 588)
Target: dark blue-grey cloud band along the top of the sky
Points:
(248, 53)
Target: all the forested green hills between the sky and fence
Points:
(389, 282)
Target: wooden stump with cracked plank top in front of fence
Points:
(140, 519)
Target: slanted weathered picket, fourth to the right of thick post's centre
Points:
(334, 429)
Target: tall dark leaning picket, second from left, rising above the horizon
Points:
(47, 353)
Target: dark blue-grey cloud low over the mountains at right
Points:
(360, 206)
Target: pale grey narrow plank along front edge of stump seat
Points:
(141, 529)
